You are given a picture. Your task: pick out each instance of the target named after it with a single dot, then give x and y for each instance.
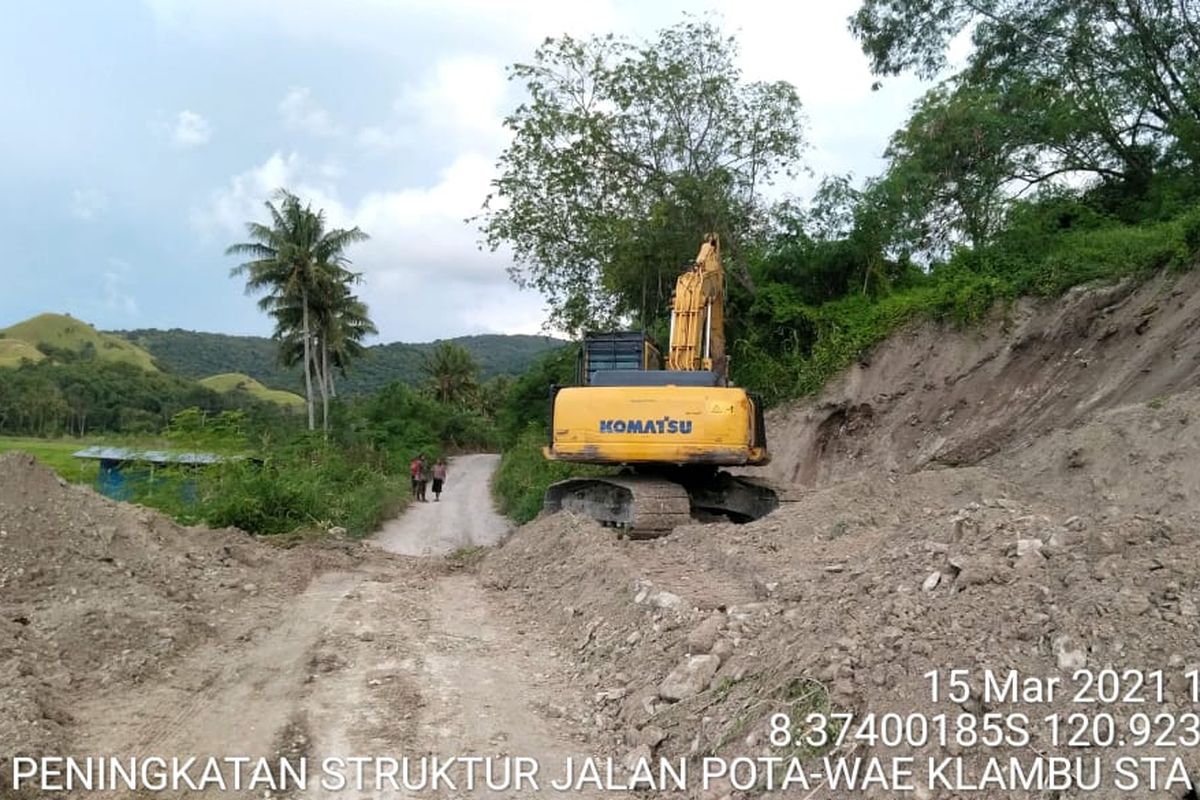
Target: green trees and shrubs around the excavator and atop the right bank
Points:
(1036, 169)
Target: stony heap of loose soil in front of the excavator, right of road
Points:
(845, 600)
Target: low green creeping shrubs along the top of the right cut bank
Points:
(788, 346)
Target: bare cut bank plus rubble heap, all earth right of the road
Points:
(1025, 497)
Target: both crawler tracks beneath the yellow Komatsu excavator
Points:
(649, 507)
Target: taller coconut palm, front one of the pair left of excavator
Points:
(296, 260)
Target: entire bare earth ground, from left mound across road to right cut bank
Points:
(1024, 498)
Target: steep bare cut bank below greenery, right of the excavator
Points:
(938, 395)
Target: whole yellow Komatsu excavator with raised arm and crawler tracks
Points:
(670, 430)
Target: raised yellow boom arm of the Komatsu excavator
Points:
(698, 316)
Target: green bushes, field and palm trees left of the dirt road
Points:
(284, 479)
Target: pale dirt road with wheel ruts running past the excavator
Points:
(401, 658)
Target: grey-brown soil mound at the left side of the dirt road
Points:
(95, 594)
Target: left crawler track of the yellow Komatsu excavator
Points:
(643, 507)
